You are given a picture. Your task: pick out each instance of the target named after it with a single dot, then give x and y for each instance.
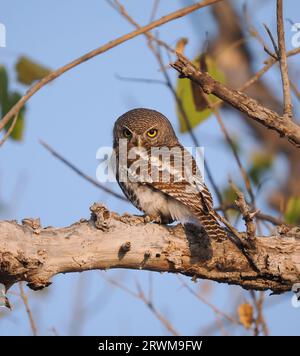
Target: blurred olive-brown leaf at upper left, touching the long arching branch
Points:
(29, 71)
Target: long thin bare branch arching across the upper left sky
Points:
(114, 43)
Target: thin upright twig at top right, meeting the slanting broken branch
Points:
(287, 100)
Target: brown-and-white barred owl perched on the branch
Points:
(158, 175)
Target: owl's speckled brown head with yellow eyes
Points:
(144, 127)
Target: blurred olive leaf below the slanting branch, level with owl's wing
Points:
(261, 163)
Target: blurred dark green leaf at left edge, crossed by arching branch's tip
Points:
(18, 131)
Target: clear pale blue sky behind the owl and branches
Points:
(75, 115)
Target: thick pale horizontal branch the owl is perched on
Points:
(34, 254)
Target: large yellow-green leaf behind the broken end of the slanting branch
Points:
(186, 92)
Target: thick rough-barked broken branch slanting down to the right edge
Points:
(239, 101)
